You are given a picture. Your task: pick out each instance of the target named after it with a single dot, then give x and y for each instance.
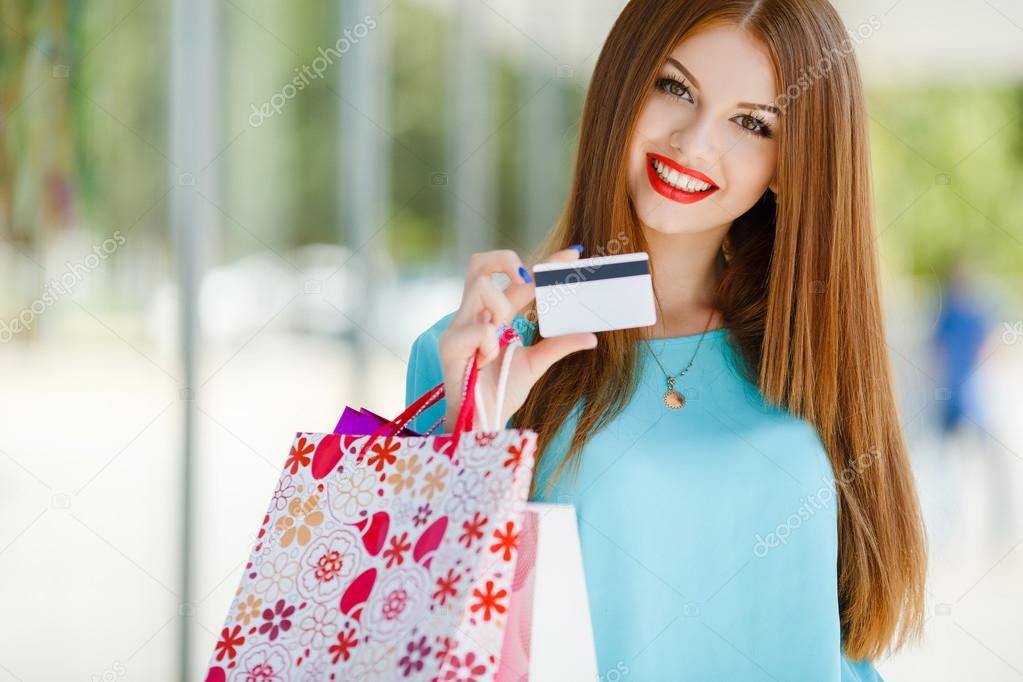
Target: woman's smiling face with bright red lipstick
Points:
(703, 119)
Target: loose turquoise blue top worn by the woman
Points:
(709, 534)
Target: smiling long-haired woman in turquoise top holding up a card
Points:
(769, 528)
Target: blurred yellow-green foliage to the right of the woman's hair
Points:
(949, 173)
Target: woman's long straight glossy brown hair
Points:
(799, 292)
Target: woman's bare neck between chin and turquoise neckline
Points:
(687, 269)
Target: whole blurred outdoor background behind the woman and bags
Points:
(221, 221)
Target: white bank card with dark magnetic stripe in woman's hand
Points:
(596, 294)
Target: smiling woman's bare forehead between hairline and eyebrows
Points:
(729, 64)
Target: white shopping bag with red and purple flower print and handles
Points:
(383, 557)
